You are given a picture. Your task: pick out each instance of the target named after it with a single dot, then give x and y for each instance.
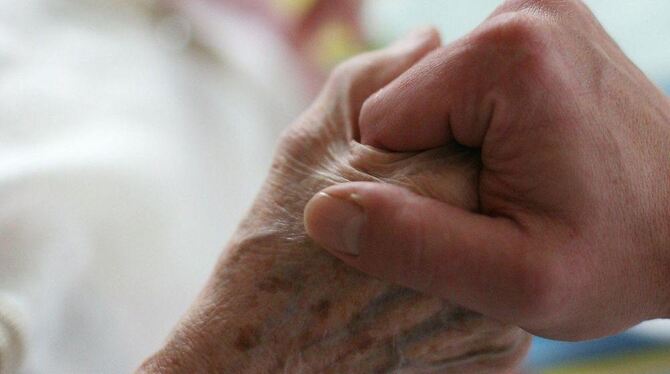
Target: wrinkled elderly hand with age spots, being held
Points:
(276, 302)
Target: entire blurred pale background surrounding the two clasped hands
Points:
(135, 134)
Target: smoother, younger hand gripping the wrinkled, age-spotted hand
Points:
(572, 237)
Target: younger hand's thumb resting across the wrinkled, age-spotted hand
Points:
(389, 232)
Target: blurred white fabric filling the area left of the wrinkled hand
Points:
(132, 140)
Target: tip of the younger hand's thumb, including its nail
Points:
(335, 222)
